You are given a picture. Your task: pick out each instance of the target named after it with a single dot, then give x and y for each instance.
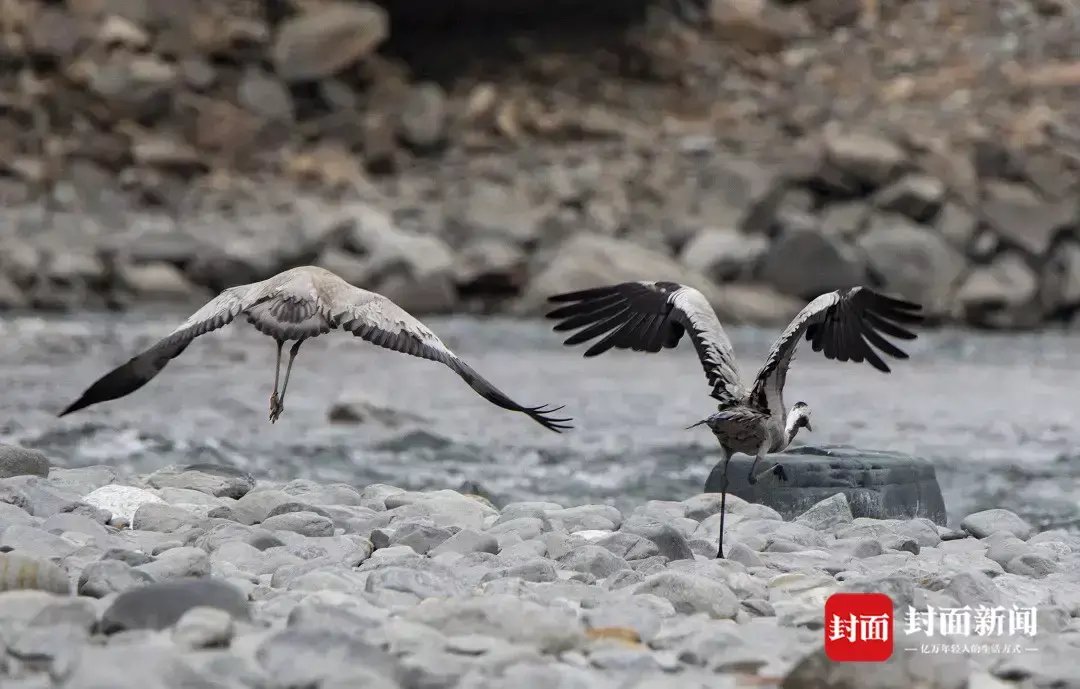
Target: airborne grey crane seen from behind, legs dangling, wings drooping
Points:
(299, 305)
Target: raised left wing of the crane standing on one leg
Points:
(646, 317)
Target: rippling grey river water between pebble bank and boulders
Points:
(1000, 415)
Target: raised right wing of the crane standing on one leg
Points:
(845, 326)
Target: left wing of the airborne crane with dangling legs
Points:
(142, 369)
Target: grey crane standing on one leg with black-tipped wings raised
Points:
(845, 326)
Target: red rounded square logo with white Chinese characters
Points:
(859, 628)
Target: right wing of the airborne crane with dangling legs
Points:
(382, 322)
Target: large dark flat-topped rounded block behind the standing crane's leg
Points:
(877, 484)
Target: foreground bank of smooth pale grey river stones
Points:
(204, 576)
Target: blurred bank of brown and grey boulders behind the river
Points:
(478, 156)
